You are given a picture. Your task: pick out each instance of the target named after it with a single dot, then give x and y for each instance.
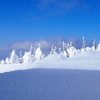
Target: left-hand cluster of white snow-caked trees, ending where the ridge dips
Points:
(30, 56)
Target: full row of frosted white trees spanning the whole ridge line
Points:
(34, 54)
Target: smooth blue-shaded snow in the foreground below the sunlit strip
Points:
(50, 84)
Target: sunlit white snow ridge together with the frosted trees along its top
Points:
(66, 57)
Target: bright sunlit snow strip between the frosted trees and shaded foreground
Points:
(87, 60)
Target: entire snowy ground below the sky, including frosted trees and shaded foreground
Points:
(67, 74)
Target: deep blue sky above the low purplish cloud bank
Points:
(29, 21)
